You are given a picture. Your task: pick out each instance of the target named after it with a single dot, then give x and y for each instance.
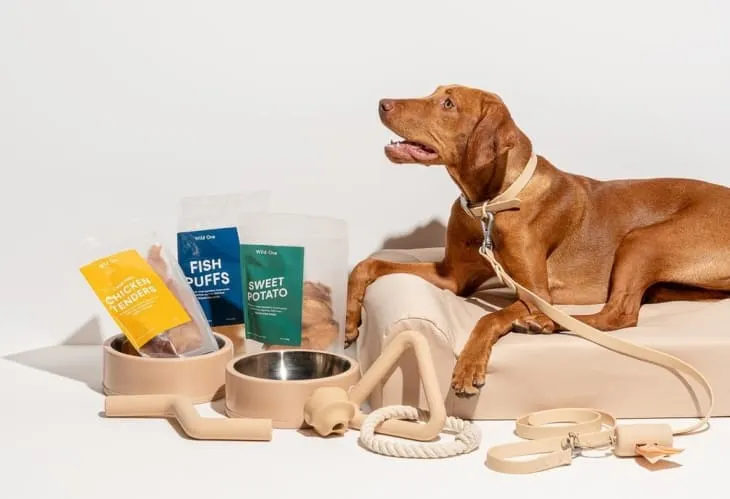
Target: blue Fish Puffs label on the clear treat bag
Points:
(211, 262)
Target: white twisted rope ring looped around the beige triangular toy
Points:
(467, 438)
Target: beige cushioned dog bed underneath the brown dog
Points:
(534, 372)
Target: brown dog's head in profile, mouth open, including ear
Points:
(456, 126)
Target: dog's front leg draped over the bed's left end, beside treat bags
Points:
(459, 278)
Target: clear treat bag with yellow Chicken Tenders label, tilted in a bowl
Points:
(147, 296)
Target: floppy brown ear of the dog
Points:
(491, 138)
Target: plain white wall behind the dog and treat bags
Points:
(109, 109)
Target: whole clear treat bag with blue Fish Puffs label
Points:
(209, 256)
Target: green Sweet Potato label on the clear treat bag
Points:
(274, 280)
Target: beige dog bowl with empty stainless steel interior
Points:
(276, 384)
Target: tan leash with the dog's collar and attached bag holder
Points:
(589, 428)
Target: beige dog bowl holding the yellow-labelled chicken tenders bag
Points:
(201, 378)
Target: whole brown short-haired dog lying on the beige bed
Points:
(574, 240)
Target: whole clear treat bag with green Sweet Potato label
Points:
(295, 281)
